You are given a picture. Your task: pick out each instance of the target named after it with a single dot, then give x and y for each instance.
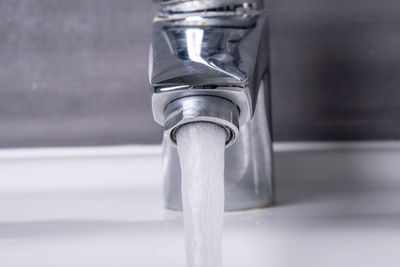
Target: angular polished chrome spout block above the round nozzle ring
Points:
(219, 61)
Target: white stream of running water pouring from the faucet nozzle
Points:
(201, 148)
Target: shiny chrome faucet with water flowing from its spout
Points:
(209, 62)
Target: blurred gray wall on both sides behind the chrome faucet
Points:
(74, 72)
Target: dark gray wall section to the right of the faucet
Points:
(336, 69)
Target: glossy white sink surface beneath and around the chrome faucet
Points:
(338, 205)
